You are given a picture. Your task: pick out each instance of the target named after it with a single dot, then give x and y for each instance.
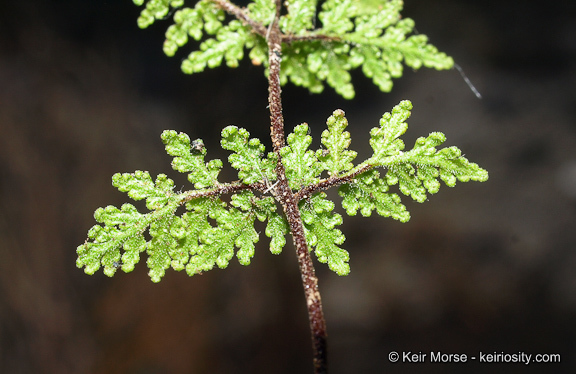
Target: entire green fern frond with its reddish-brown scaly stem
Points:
(199, 229)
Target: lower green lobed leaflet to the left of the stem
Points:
(205, 235)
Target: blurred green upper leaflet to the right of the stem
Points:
(355, 33)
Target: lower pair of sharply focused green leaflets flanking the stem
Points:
(210, 231)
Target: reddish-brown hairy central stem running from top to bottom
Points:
(289, 202)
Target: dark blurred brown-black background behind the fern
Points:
(484, 267)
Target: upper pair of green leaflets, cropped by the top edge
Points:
(353, 33)
